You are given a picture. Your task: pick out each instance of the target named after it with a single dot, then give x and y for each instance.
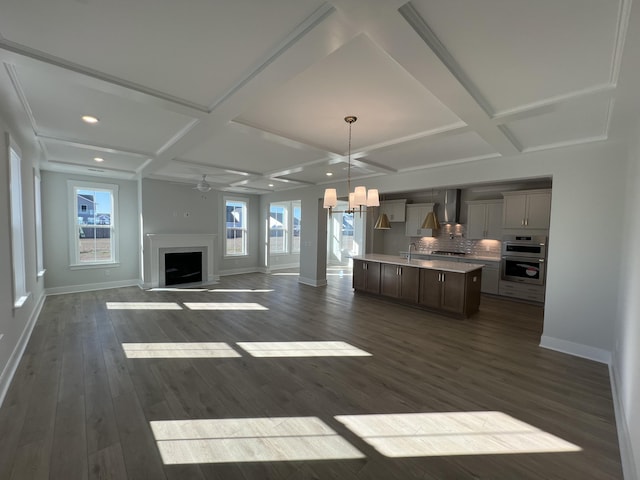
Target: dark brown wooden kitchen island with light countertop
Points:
(448, 287)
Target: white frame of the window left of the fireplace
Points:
(74, 252)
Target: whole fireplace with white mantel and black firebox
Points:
(176, 259)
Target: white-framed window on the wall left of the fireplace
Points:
(93, 236)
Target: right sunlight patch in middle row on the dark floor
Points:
(302, 349)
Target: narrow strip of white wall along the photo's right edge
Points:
(626, 353)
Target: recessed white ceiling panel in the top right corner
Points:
(519, 52)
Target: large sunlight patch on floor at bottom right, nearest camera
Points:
(452, 433)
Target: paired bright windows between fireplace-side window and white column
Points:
(284, 227)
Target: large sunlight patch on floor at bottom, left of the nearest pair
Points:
(249, 440)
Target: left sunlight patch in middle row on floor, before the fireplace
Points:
(179, 350)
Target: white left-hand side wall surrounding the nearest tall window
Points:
(16, 325)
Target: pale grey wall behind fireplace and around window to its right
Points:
(176, 208)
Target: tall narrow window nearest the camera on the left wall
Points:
(20, 293)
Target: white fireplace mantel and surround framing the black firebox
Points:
(163, 243)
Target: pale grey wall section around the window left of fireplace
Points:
(55, 219)
